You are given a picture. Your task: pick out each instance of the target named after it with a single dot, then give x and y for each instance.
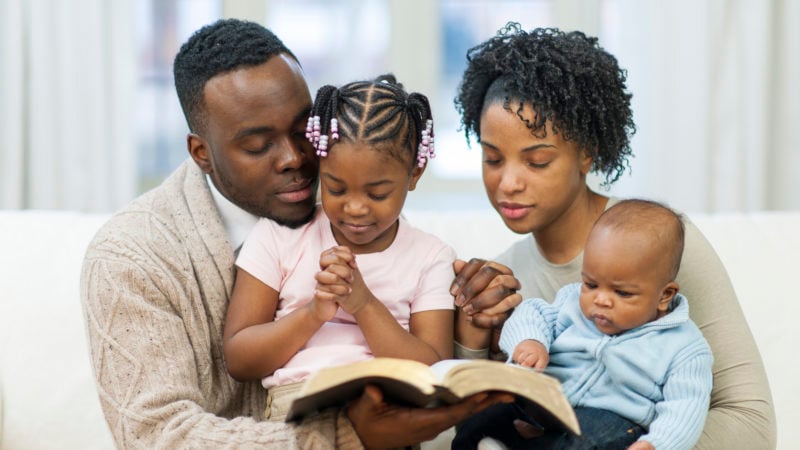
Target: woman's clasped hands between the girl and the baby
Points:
(486, 291)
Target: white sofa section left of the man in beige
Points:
(49, 396)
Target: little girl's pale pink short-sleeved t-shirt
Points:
(412, 275)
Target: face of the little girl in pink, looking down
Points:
(363, 192)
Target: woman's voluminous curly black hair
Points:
(567, 78)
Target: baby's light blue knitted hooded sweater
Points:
(657, 375)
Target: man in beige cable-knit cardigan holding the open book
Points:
(157, 277)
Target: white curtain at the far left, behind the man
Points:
(66, 83)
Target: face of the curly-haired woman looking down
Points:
(530, 181)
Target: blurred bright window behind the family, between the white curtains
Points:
(336, 42)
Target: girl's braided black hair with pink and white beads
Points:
(379, 113)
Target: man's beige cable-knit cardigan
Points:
(155, 287)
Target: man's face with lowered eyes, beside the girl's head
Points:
(253, 143)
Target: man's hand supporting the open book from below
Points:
(382, 425)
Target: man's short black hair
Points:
(220, 47)
